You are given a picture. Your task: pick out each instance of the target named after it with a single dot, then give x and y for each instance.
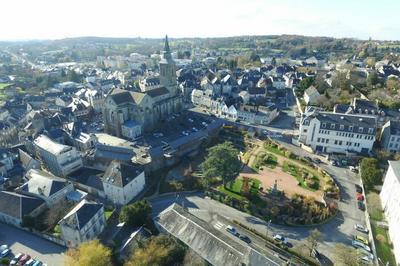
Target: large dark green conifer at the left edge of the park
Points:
(222, 161)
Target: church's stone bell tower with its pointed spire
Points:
(168, 69)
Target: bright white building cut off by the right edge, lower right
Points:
(391, 204)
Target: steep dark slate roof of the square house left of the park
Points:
(120, 174)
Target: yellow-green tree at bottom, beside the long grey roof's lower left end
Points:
(159, 250)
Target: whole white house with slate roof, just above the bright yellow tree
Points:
(83, 223)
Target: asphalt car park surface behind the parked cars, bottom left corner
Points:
(21, 241)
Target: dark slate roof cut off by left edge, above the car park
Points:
(17, 205)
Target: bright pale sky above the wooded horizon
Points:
(56, 19)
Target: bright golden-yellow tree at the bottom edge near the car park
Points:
(88, 254)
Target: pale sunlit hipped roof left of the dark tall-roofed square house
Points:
(43, 183)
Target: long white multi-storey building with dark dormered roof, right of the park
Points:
(340, 133)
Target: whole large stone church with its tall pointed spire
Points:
(130, 113)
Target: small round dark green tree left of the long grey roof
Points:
(136, 214)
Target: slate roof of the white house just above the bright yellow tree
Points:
(81, 214)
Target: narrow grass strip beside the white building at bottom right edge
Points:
(383, 249)
